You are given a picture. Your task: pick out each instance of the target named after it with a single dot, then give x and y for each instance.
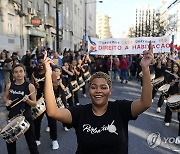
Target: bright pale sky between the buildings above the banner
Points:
(122, 13)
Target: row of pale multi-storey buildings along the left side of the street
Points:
(27, 24)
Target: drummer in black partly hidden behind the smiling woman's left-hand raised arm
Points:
(39, 74)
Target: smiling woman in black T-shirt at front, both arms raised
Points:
(101, 126)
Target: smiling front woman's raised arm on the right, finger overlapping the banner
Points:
(139, 106)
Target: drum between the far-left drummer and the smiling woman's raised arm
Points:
(39, 108)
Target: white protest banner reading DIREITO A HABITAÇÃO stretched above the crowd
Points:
(122, 46)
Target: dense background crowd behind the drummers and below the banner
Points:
(121, 67)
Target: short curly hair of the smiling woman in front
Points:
(101, 75)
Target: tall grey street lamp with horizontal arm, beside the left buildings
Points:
(85, 30)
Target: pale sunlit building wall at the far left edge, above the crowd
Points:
(10, 23)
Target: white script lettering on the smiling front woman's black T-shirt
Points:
(111, 128)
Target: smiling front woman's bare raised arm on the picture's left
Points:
(60, 114)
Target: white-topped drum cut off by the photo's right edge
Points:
(174, 103)
